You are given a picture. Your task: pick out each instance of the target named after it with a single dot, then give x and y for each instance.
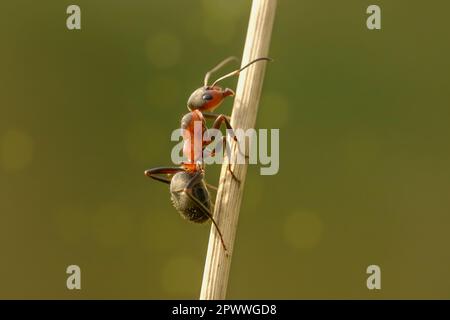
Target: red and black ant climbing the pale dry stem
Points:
(188, 189)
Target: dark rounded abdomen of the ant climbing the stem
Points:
(189, 206)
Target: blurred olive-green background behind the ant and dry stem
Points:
(364, 167)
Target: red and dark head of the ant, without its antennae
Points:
(208, 98)
